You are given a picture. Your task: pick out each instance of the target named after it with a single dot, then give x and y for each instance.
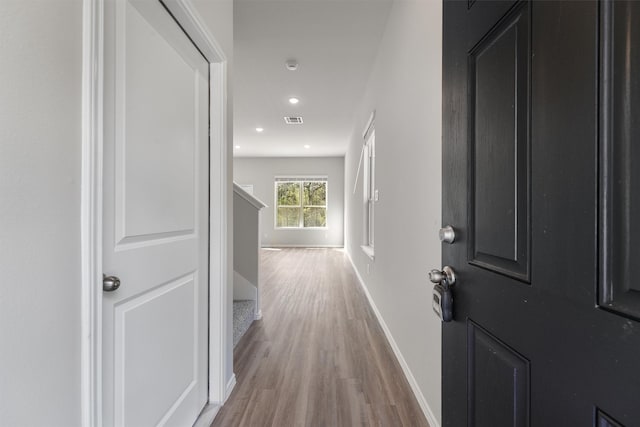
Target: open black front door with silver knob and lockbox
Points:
(541, 161)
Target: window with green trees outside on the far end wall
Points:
(301, 202)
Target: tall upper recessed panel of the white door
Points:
(158, 147)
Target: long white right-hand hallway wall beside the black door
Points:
(405, 90)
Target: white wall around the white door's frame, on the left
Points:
(40, 153)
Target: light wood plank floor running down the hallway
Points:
(318, 357)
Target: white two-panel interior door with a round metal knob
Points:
(155, 219)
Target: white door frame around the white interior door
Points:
(91, 203)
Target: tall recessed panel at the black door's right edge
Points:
(620, 163)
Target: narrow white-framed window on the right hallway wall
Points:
(370, 195)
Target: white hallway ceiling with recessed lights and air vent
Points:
(335, 43)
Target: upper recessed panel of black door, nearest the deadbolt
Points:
(498, 111)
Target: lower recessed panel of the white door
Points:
(136, 373)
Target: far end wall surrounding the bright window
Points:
(261, 172)
